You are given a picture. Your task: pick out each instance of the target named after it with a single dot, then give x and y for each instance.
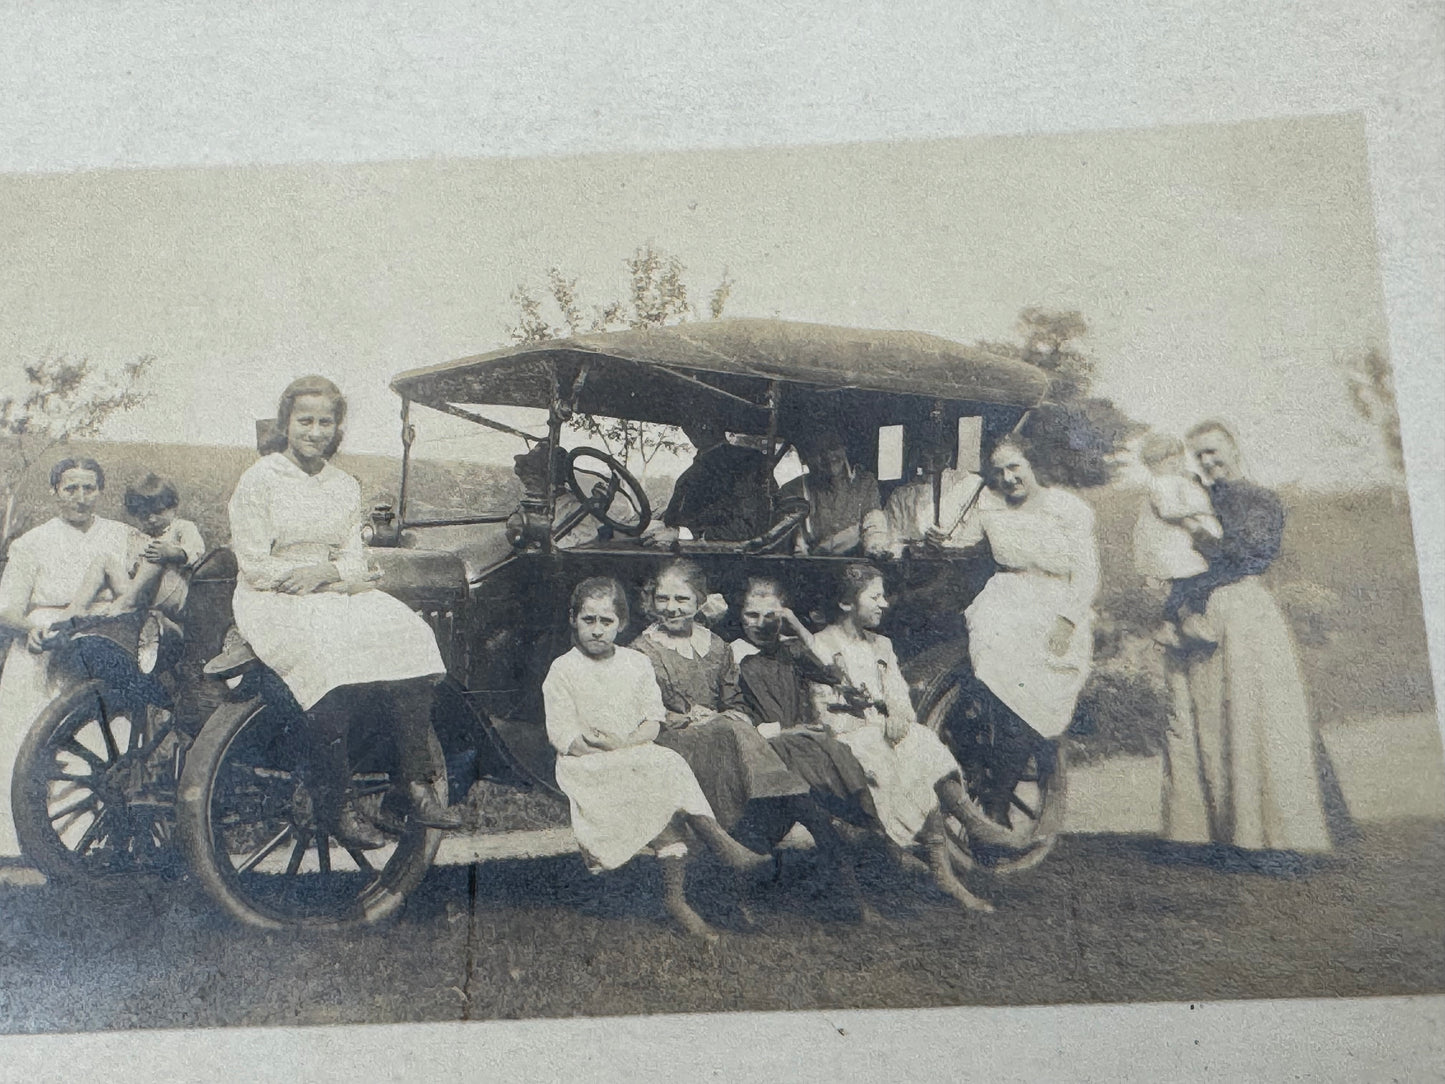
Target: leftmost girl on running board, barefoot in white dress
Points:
(603, 718)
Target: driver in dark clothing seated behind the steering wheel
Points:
(723, 496)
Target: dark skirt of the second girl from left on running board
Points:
(735, 765)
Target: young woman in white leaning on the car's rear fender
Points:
(1031, 631)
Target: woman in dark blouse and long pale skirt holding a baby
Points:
(1242, 751)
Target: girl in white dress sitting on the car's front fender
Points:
(309, 608)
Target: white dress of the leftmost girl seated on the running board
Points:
(622, 800)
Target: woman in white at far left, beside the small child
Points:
(44, 570)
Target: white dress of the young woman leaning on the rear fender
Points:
(1048, 569)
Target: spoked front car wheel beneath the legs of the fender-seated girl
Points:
(256, 840)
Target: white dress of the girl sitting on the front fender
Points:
(284, 520)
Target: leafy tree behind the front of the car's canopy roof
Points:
(657, 298)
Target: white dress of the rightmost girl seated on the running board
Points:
(901, 778)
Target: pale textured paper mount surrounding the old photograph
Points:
(157, 85)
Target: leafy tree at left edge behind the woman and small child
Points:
(61, 400)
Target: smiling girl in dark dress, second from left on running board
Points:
(707, 716)
